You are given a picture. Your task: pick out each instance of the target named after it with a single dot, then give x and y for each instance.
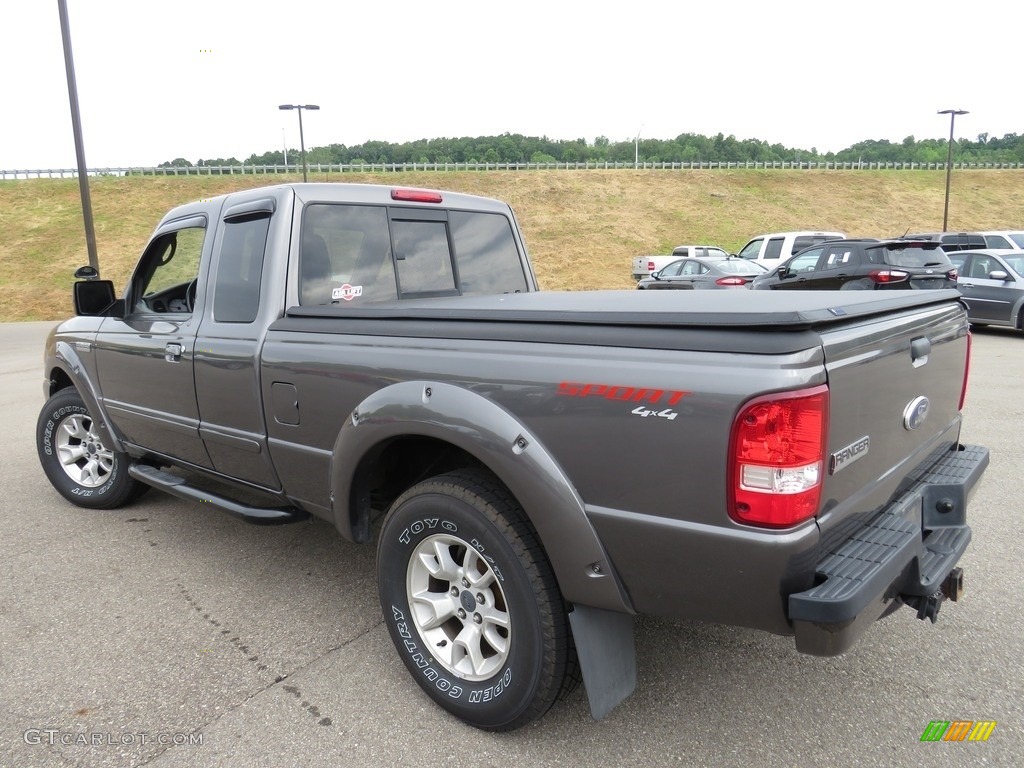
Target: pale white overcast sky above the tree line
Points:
(159, 80)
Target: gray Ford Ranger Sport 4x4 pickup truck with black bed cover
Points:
(536, 468)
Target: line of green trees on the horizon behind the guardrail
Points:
(687, 148)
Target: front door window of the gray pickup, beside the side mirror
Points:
(166, 278)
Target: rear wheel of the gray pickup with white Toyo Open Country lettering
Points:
(472, 603)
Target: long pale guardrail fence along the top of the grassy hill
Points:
(207, 170)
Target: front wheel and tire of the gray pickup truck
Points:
(77, 463)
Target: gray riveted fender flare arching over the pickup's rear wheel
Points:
(495, 438)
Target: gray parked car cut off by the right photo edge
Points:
(993, 285)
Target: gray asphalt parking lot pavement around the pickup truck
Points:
(163, 634)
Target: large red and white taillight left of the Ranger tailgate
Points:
(777, 459)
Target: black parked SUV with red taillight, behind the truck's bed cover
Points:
(865, 265)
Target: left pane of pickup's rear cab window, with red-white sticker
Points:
(346, 255)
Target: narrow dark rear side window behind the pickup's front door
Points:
(240, 270)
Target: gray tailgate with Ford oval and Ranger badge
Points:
(895, 389)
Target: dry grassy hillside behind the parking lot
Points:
(582, 228)
